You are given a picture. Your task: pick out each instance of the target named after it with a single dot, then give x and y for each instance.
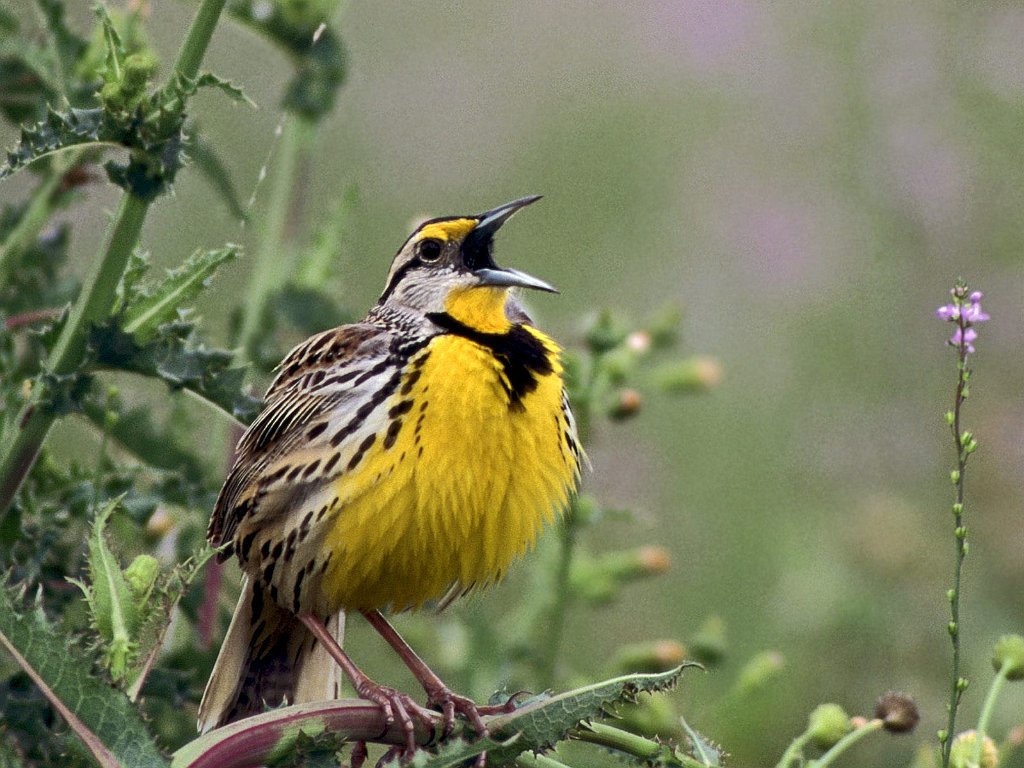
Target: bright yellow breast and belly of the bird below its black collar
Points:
(458, 486)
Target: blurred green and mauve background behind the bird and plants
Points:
(807, 181)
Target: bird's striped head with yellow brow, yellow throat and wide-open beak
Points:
(447, 266)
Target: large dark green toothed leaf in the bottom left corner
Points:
(69, 676)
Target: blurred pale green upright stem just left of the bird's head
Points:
(276, 250)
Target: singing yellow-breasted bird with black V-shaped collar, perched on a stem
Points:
(405, 459)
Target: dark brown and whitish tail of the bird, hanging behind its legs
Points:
(269, 657)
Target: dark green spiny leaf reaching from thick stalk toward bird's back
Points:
(178, 359)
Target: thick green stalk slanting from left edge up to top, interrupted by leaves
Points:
(97, 300)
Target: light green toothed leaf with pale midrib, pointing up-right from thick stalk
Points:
(145, 311)
